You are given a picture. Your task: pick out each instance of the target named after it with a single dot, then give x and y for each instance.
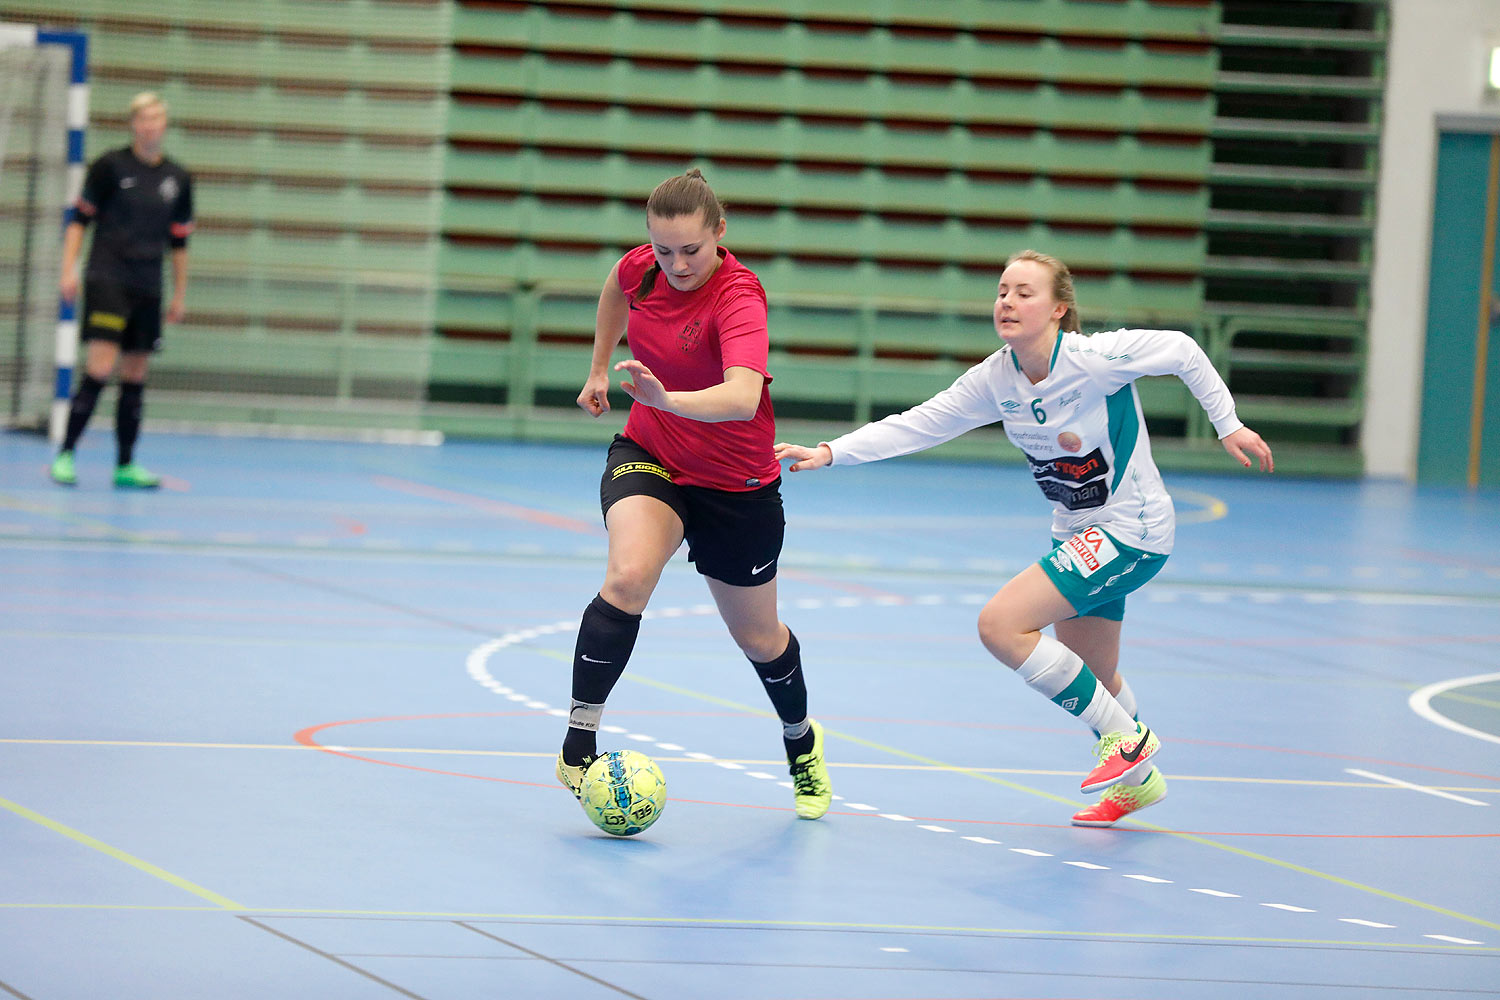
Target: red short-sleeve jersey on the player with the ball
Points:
(689, 340)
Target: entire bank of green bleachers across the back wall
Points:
(407, 206)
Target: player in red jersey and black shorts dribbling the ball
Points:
(695, 464)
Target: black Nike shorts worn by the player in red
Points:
(731, 537)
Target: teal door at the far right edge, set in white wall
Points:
(1460, 442)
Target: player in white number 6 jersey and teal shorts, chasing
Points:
(1069, 403)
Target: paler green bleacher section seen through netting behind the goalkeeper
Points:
(316, 137)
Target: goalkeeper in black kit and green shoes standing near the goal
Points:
(142, 206)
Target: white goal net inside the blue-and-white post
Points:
(34, 193)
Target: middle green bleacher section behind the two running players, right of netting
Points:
(880, 163)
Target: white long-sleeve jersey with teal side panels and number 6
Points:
(1081, 428)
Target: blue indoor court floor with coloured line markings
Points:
(286, 729)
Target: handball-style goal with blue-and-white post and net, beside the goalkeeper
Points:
(44, 112)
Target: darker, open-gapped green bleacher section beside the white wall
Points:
(1292, 221)
